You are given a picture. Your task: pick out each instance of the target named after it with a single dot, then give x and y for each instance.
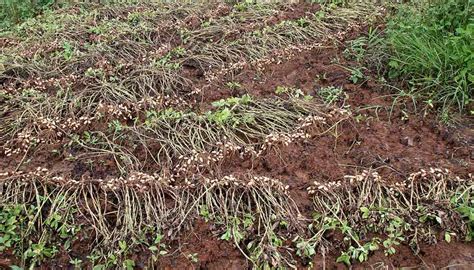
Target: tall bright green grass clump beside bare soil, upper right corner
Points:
(431, 49)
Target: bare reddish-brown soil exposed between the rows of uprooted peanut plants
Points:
(378, 137)
